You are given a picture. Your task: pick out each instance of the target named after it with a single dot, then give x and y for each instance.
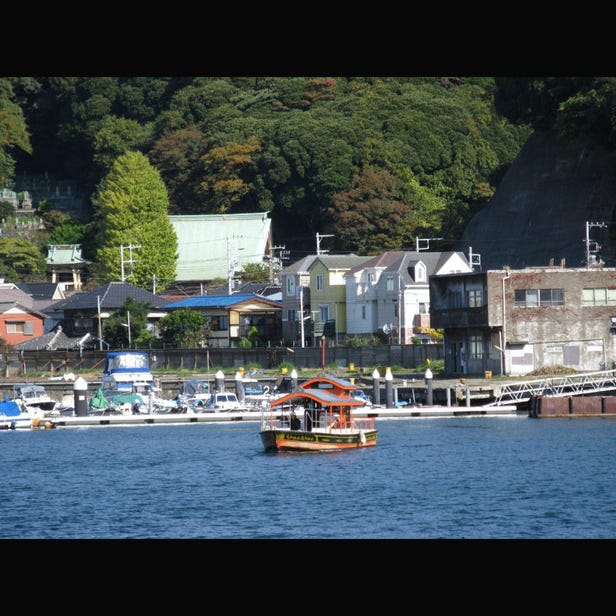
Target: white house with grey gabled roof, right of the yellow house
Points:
(390, 293)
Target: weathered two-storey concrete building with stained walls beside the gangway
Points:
(516, 321)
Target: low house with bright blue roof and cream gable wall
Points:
(232, 317)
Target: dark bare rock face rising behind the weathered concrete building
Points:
(540, 210)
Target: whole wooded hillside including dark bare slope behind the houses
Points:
(375, 161)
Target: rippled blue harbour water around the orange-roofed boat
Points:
(426, 479)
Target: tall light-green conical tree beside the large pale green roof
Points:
(133, 209)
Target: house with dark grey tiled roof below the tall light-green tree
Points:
(85, 312)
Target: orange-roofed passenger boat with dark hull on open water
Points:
(318, 416)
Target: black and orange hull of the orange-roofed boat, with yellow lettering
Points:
(299, 440)
